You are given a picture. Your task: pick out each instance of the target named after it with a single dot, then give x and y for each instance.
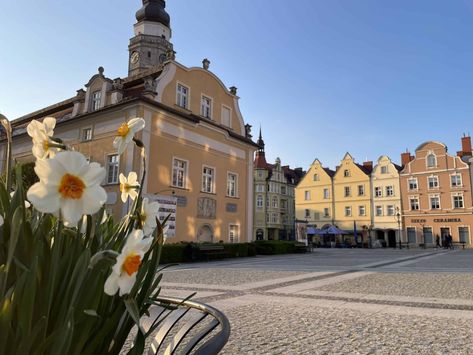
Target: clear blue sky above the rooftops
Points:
(321, 77)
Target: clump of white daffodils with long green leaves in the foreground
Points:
(73, 280)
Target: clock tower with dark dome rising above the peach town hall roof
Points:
(151, 44)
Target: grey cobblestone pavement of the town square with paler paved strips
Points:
(339, 301)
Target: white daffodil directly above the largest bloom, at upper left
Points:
(41, 133)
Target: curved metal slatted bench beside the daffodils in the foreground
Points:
(183, 327)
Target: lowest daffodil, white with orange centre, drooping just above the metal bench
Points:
(124, 271)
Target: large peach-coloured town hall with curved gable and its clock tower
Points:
(199, 149)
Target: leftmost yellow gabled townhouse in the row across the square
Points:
(314, 196)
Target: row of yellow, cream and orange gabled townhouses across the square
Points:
(429, 195)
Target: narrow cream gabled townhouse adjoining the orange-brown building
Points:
(386, 207)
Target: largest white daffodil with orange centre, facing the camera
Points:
(69, 184)
